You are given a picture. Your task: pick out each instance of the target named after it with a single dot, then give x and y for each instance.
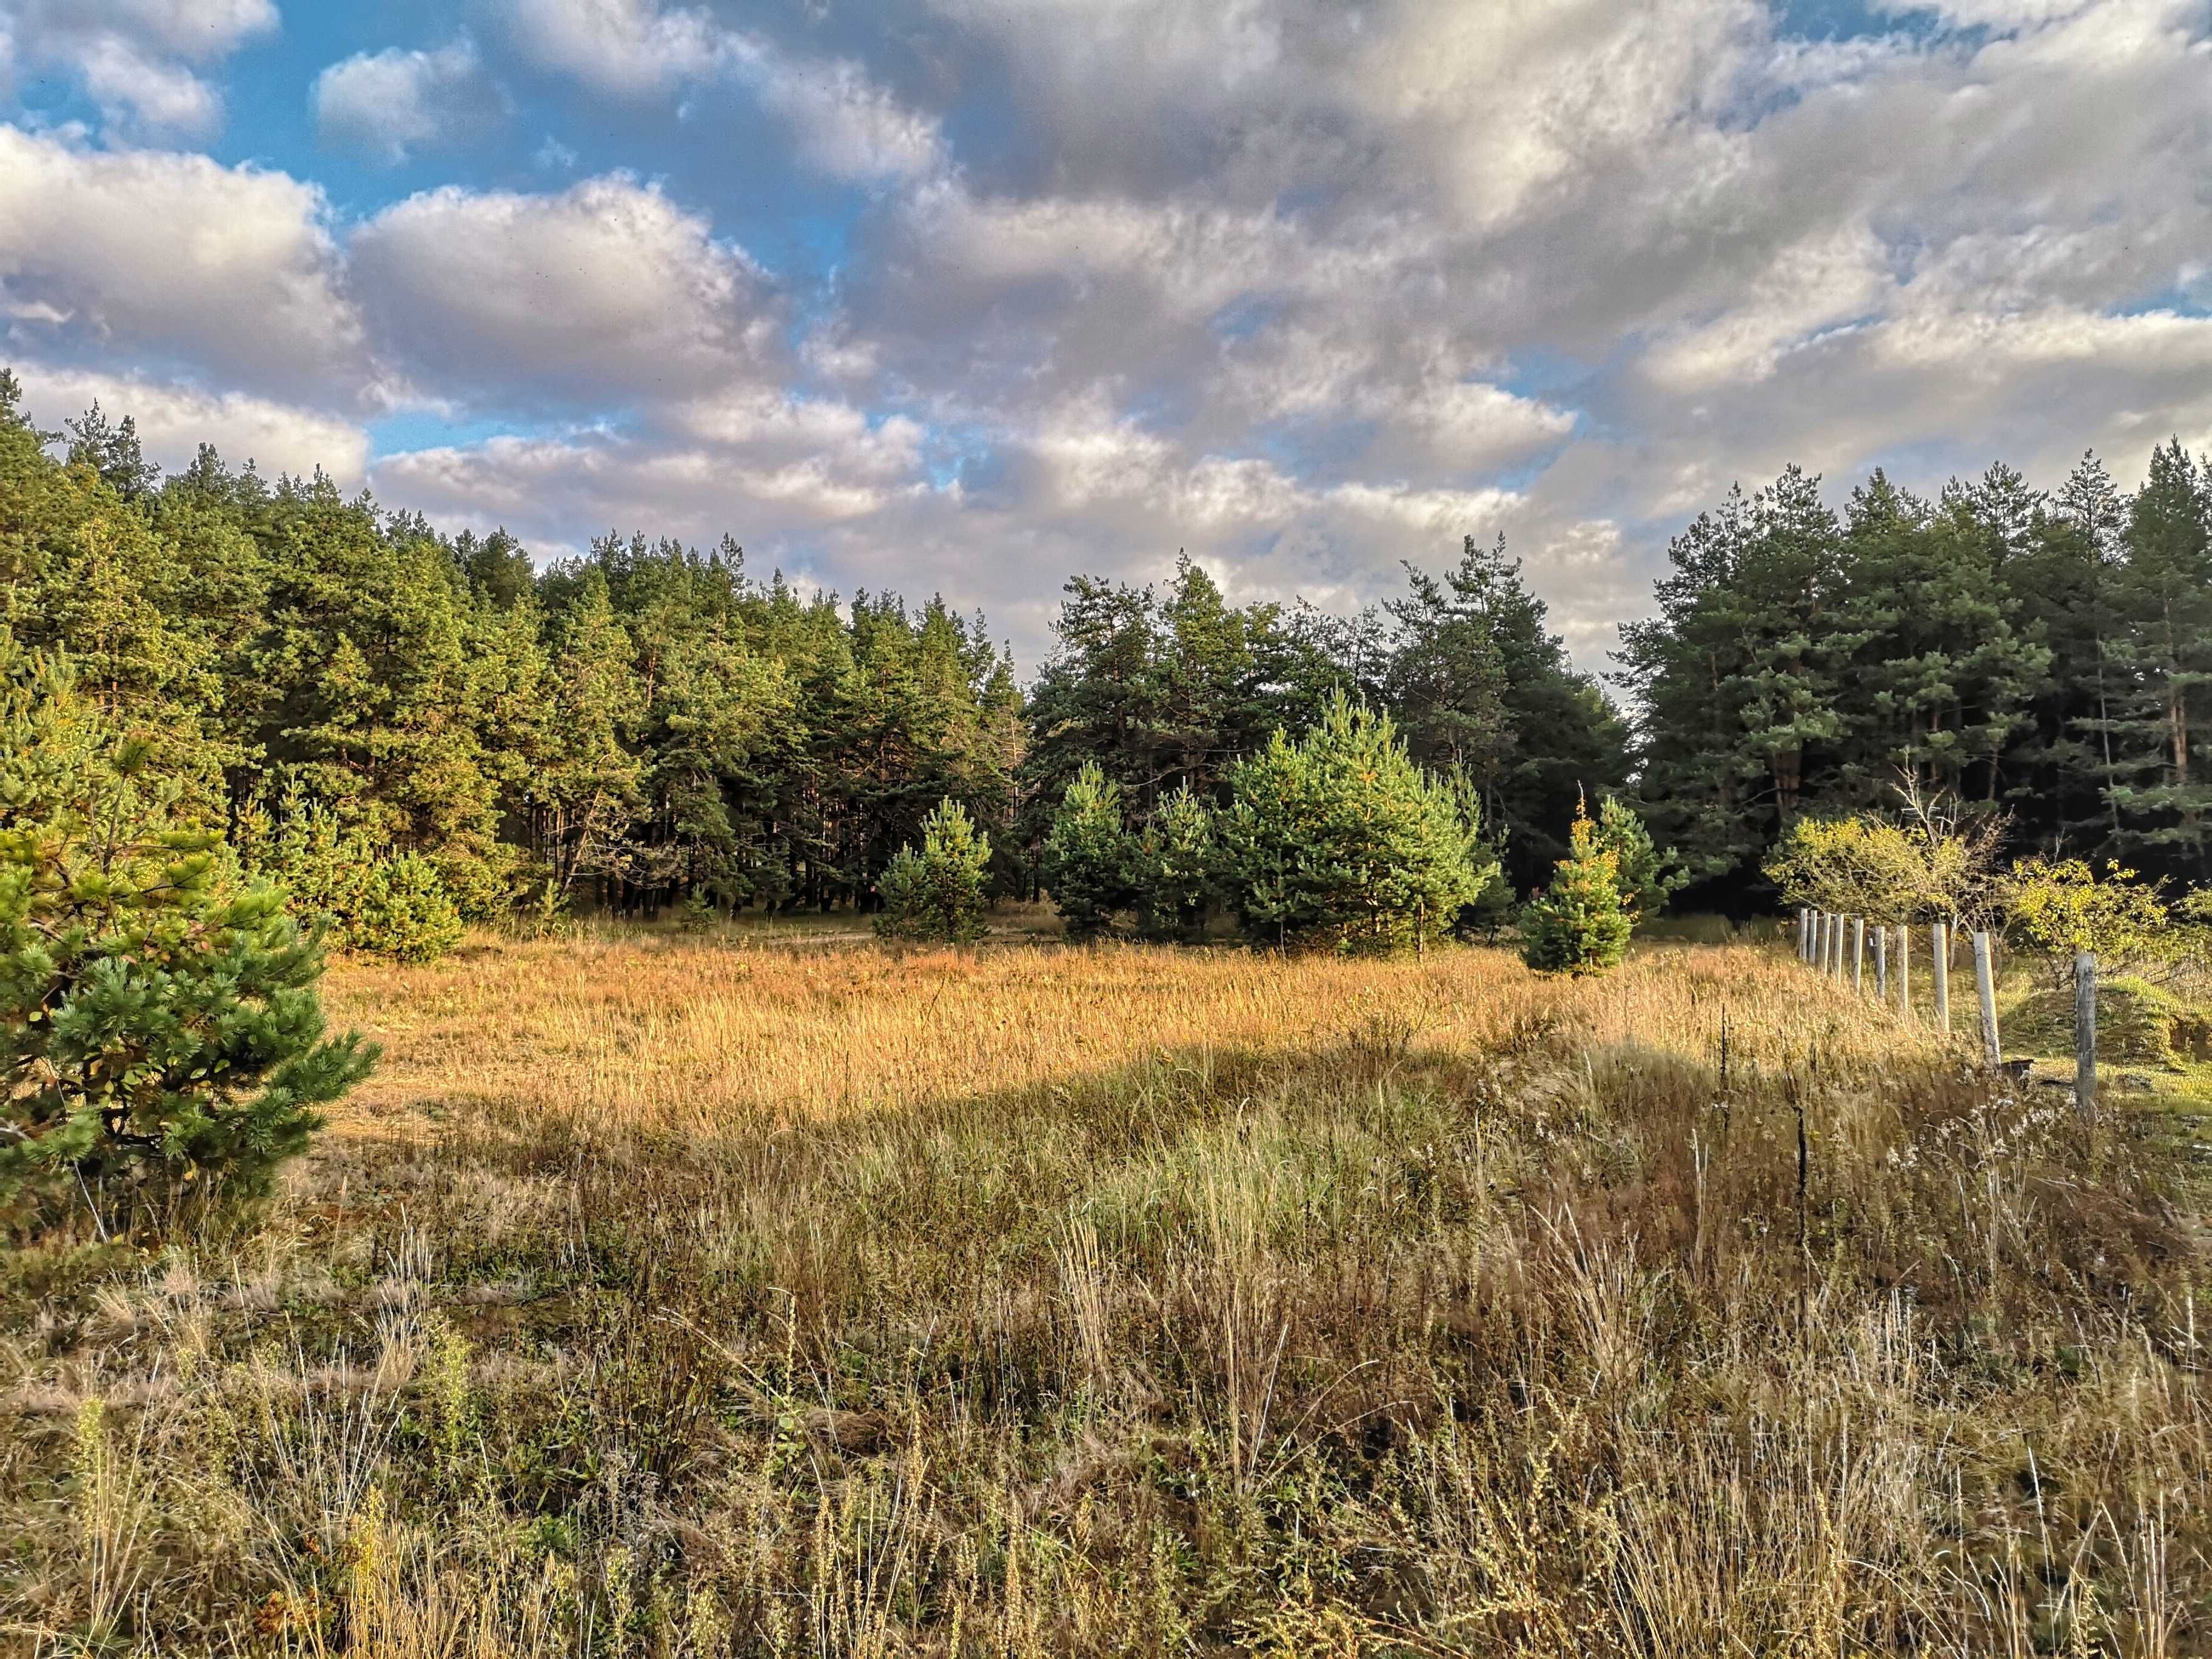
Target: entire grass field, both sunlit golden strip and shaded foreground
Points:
(782, 1295)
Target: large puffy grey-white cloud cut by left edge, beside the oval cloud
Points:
(174, 255)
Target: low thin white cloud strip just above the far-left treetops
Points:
(176, 419)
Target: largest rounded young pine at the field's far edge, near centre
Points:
(1339, 839)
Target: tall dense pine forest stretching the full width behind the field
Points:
(651, 724)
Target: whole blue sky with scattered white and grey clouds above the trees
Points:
(970, 295)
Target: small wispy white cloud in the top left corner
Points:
(138, 59)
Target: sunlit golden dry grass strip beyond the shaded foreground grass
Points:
(713, 1036)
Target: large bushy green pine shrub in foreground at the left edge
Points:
(165, 1030)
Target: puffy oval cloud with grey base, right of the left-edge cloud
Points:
(603, 293)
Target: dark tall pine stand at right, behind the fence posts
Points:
(2043, 658)
